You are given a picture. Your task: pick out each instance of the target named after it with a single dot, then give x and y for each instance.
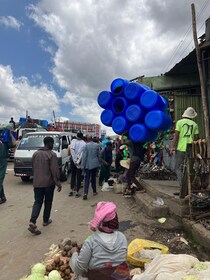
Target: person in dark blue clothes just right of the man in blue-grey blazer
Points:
(105, 162)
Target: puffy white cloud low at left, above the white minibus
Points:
(18, 96)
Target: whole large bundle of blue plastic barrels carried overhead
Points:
(134, 108)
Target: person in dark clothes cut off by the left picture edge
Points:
(5, 145)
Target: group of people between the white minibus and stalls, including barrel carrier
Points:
(91, 158)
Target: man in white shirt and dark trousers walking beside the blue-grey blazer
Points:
(77, 145)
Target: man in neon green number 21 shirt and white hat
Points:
(186, 132)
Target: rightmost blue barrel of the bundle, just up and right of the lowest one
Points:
(158, 120)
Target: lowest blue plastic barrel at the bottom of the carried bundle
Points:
(140, 133)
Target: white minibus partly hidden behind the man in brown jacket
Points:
(30, 143)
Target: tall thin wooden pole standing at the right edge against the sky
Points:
(203, 86)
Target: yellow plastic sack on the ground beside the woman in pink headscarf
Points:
(142, 244)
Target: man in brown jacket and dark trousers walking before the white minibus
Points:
(46, 176)
